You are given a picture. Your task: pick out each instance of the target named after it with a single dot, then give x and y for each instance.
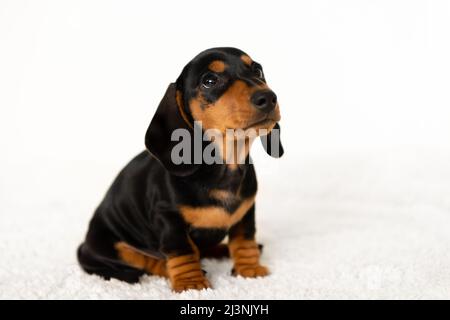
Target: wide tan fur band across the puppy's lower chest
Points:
(215, 216)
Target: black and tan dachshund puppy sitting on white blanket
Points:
(159, 217)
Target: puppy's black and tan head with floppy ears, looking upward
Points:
(224, 89)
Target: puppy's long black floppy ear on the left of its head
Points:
(168, 117)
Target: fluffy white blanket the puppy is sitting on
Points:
(347, 225)
